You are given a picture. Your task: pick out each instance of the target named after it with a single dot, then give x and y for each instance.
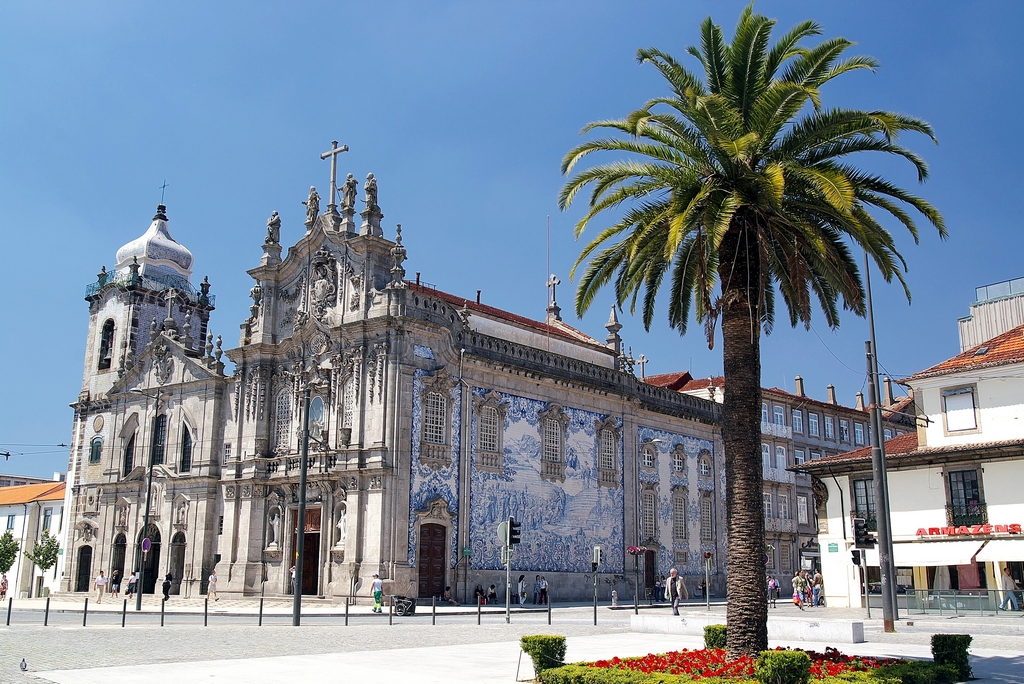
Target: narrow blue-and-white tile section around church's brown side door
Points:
(429, 485)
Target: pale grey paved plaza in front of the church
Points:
(234, 649)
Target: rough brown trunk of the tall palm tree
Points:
(747, 612)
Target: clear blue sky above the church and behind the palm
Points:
(463, 111)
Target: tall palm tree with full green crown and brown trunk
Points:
(736, 187)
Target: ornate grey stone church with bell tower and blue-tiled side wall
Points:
(433, 418)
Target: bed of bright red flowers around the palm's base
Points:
(712, 663)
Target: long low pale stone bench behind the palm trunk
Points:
(780, 629)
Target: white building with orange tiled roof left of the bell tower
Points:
(27, 511)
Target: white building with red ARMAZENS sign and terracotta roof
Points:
(955, 487)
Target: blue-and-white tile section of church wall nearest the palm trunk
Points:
(666, 478)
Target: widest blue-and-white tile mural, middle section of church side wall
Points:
(562, 522)
